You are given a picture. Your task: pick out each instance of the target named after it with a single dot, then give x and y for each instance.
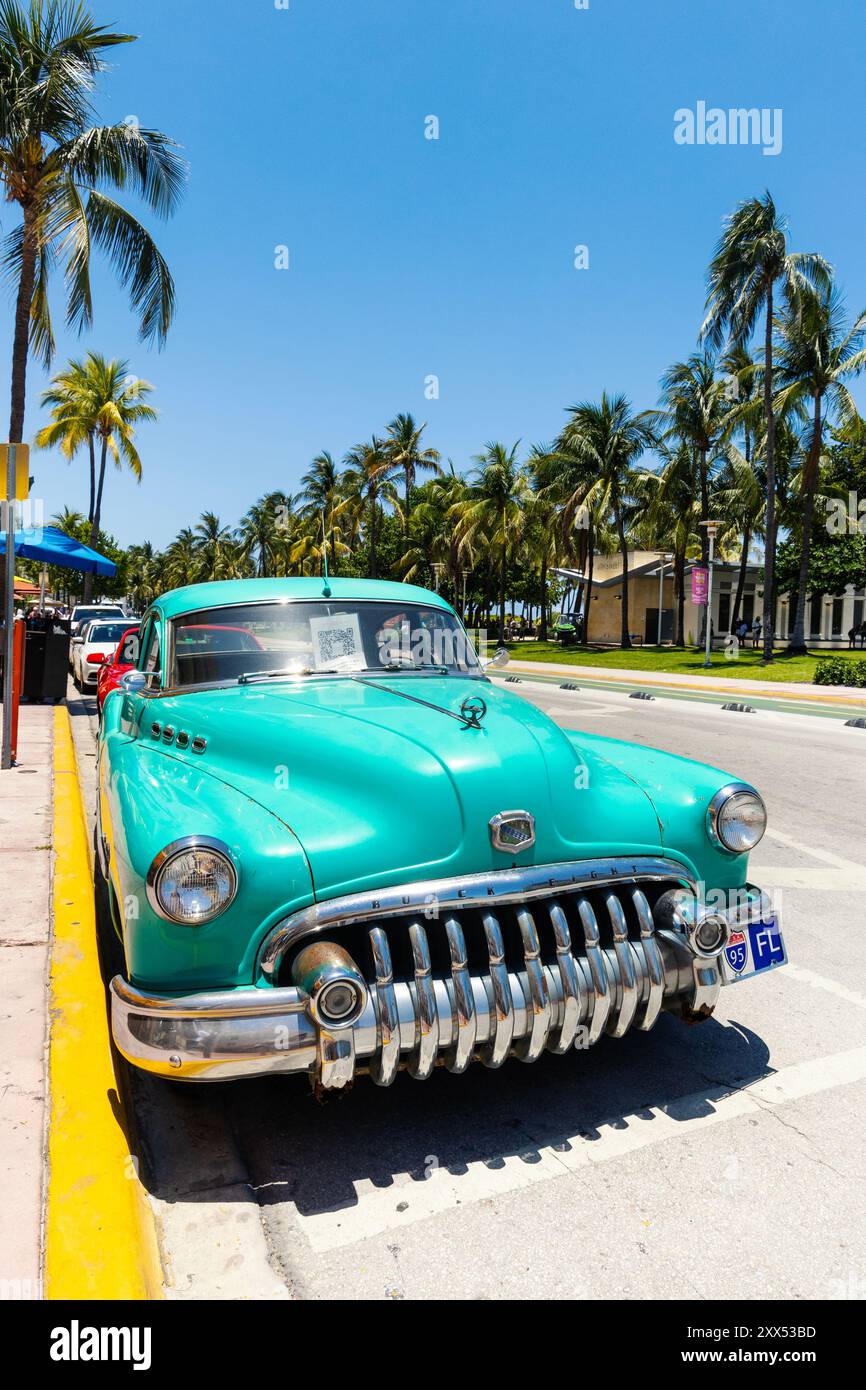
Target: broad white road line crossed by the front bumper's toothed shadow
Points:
(376, 1210)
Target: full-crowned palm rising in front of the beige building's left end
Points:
(608, 440)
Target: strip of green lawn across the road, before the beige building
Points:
(678, 661)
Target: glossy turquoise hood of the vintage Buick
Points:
(382, 790)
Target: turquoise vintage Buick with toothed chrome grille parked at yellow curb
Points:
(336, 846)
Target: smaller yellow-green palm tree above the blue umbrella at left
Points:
(99, 402)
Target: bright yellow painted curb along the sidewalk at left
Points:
(99, 1235)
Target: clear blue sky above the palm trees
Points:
(409, 258)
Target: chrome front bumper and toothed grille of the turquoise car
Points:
(483, 1014)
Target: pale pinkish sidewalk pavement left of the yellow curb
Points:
(26, 865)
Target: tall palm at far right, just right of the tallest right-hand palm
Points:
(815, 355)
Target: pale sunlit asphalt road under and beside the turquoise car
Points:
(701, 1163)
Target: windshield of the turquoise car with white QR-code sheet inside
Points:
(318, 637)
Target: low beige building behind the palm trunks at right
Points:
(651, 587)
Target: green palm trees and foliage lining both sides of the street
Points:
(754, 429)
